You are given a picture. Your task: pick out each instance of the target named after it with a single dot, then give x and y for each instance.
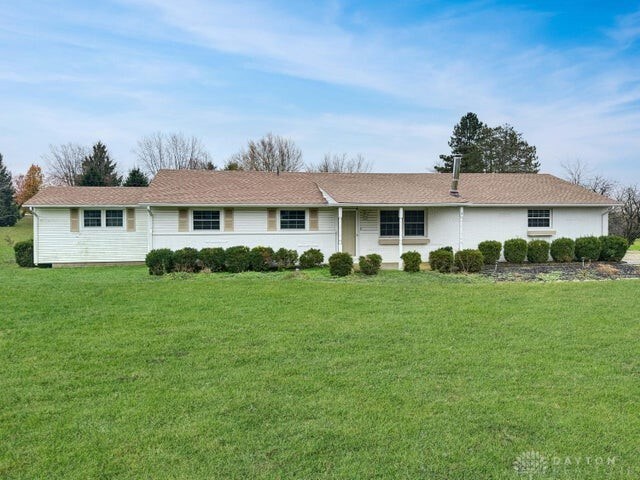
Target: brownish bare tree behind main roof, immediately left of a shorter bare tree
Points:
(271, 153)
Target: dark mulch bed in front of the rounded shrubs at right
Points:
(548, 272)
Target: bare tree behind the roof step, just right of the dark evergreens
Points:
(174, 151)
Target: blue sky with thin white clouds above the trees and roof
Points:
(384, 79)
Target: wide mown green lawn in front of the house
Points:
(110, 373)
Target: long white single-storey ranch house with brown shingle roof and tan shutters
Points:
(357, 213)
